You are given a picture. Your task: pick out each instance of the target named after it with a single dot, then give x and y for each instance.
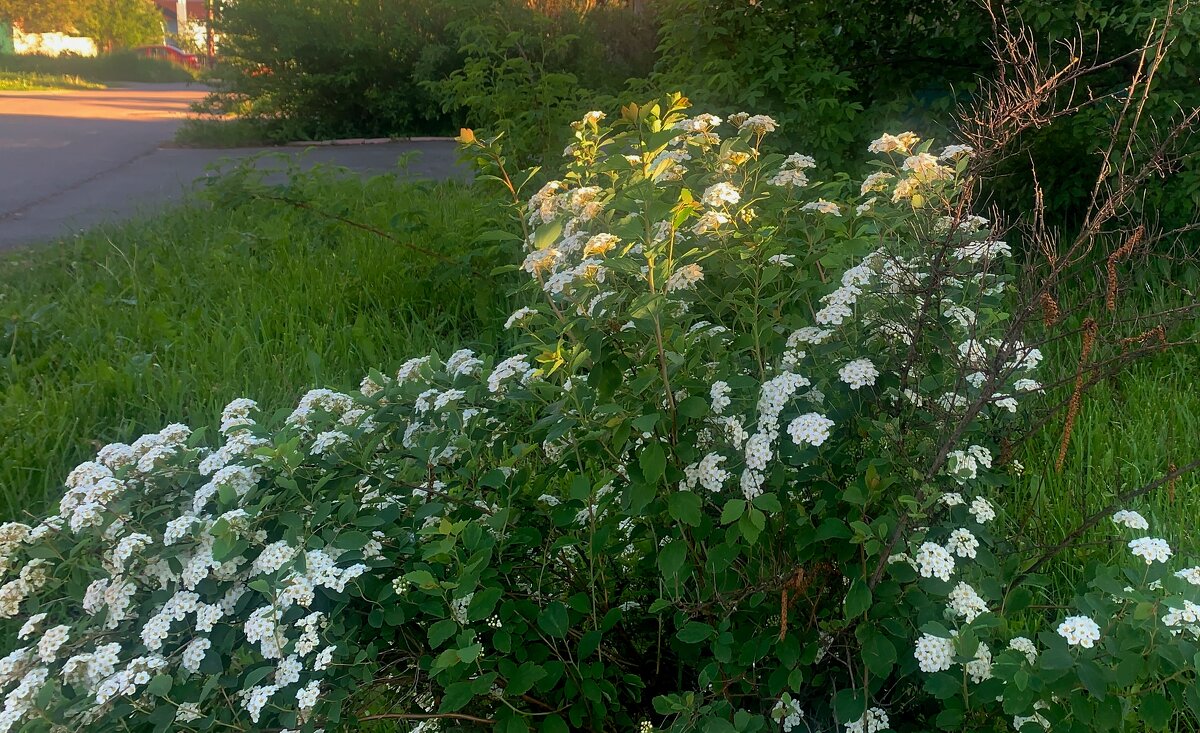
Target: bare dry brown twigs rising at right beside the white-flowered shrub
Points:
(1029, 93)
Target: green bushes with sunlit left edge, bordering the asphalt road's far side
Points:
(355, 69)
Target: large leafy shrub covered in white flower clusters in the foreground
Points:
(741, 474)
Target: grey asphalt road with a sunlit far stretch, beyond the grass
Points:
(73, 160)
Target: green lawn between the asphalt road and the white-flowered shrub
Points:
(127, 329)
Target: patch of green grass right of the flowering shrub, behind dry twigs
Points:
(1130, 430)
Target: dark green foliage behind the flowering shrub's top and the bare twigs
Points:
(835, 74)
